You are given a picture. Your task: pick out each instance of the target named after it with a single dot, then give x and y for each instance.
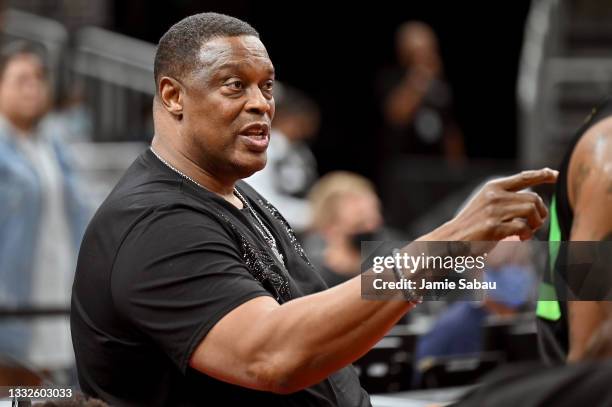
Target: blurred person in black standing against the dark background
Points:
(416, 100)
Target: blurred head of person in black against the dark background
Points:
(417, 45)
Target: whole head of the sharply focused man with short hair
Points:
(214, 98)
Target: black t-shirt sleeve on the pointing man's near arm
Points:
(177, 273)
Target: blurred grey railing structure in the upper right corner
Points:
(566, 70)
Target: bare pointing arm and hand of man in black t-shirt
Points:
(285, 348)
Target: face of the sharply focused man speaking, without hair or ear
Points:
(228, 106)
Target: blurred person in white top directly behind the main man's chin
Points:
(291, 168)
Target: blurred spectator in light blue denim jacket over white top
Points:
(41, 217)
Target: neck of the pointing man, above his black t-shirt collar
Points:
(174, 157)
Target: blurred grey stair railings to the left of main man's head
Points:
(115, 72)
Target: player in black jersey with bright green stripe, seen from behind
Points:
(580, 211)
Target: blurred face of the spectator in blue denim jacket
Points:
(24, 92)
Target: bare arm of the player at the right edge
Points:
(590, 194)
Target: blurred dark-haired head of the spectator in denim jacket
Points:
(24, 90)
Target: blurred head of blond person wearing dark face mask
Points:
(346, 211)
